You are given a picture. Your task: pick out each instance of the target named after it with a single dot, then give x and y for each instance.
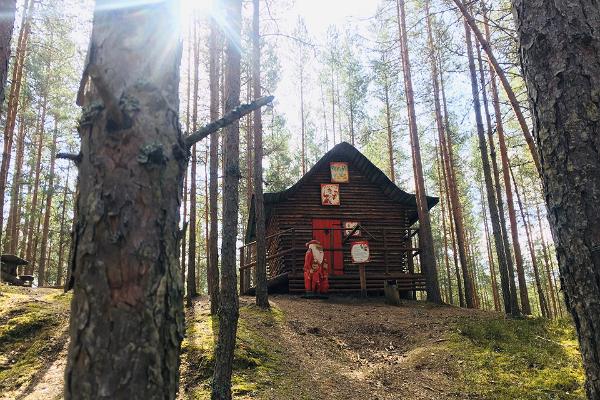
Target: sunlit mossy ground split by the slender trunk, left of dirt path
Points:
(256, 358)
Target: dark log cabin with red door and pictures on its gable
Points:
(363, 220)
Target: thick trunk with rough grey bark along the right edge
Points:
(559, 47)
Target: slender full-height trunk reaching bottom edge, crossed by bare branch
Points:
(229, 303)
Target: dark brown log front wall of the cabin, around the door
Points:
(361, 201)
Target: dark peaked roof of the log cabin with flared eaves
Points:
(350, 153)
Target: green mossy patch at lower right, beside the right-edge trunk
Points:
(531, 358)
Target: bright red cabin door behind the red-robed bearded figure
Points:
(329, 233)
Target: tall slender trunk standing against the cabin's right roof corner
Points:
(428, 263)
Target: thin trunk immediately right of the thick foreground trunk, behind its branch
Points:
(191, 264)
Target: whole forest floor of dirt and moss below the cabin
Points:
(341, 348)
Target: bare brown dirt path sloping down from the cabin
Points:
(363, 349)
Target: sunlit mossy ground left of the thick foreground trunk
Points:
(32, 331)
